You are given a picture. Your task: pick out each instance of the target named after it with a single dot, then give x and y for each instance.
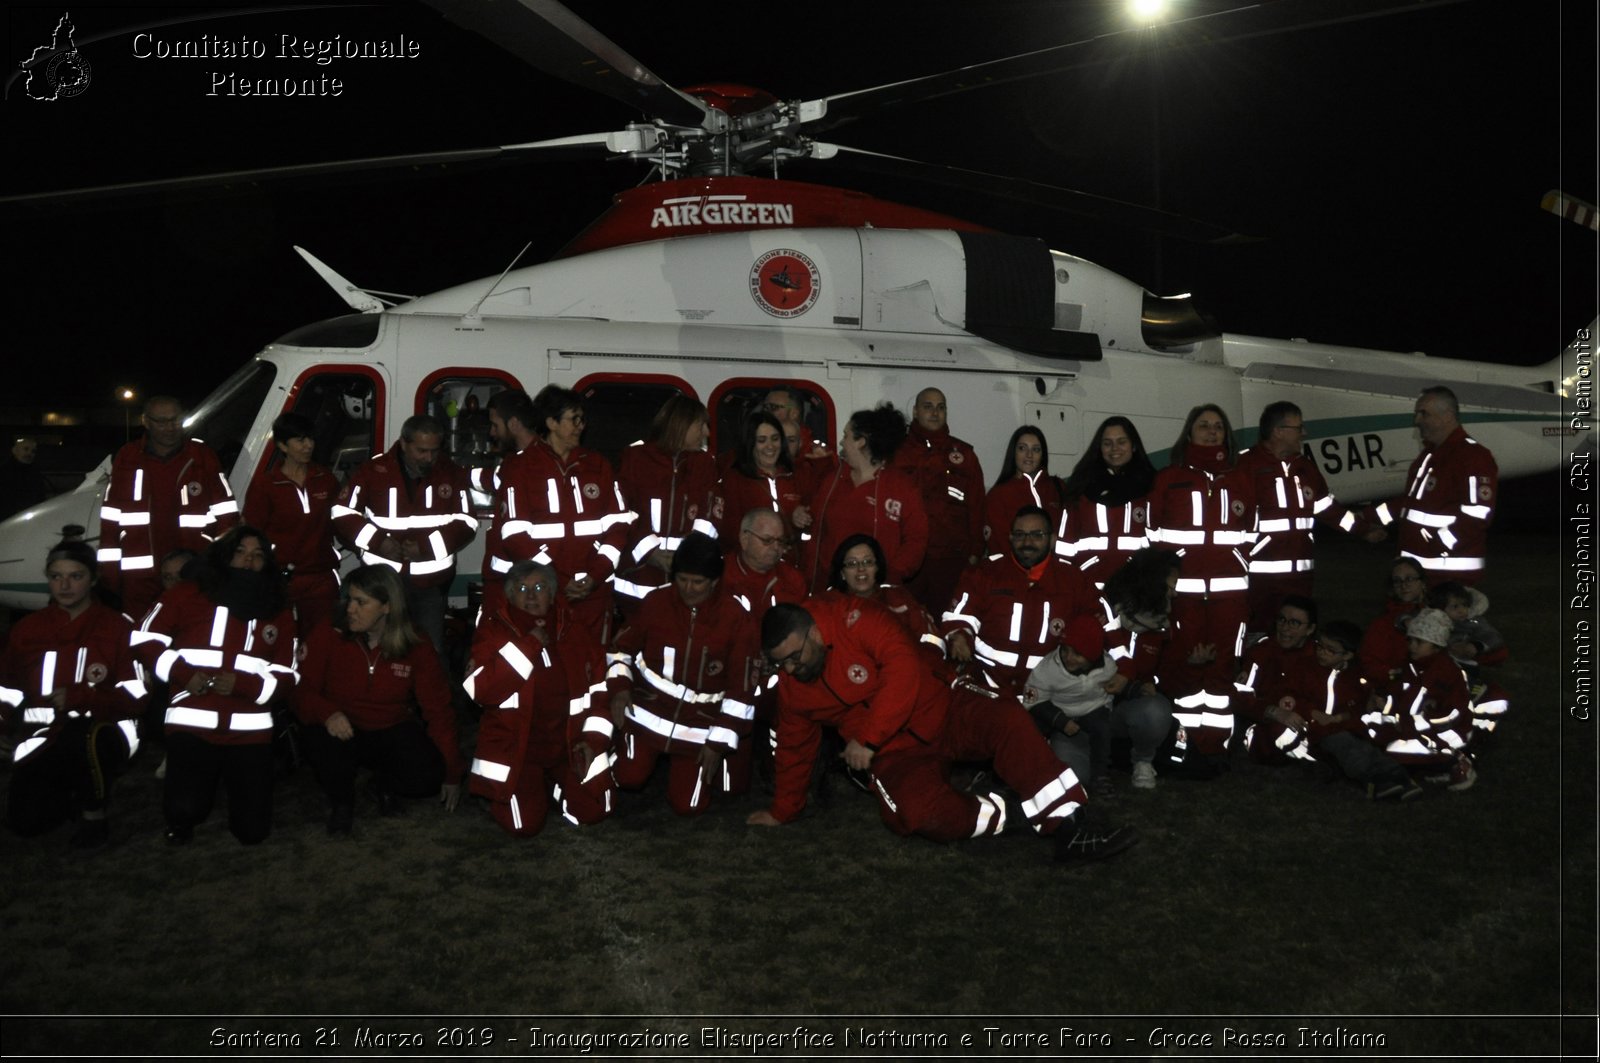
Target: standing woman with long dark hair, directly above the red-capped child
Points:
(1106, 502)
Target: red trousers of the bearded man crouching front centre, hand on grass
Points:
(914, 784)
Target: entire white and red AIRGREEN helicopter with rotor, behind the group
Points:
(721, 278)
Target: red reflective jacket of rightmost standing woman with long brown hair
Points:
(1210, 519)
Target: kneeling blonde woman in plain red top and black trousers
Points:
(362, 684)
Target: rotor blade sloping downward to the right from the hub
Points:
(1033, 193)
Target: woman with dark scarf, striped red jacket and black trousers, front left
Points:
(225, 644)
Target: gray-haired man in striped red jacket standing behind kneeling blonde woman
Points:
(410, 510)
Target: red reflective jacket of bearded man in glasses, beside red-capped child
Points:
(1015, 617)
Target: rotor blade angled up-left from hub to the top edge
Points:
(551, 38)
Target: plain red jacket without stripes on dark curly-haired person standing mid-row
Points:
(889, 508)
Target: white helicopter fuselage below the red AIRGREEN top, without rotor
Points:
(862, 316)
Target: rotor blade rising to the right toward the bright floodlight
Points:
(1212, 28)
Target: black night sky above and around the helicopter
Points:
(1396, 166)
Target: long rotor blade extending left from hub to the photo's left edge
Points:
(241, 180)
